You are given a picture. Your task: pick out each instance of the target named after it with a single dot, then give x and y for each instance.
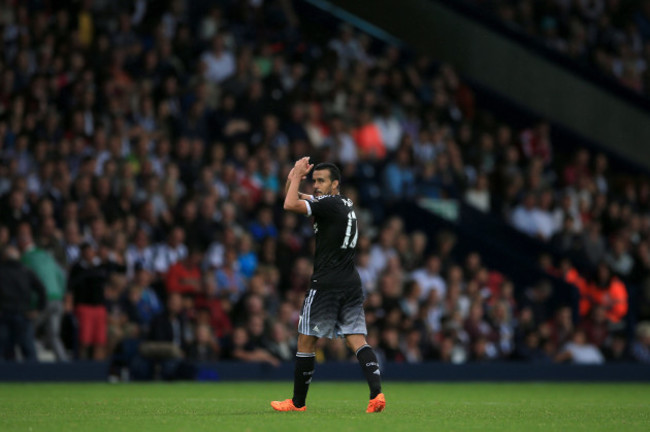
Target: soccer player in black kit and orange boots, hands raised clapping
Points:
(333, 306)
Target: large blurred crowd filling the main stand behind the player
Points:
(144, 152)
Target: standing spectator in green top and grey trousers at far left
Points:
(52, 277)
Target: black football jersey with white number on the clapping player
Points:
(335, 229)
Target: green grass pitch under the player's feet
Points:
(331, 406)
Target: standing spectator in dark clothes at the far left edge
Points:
(17, 286)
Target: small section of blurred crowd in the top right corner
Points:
(608, 35)
